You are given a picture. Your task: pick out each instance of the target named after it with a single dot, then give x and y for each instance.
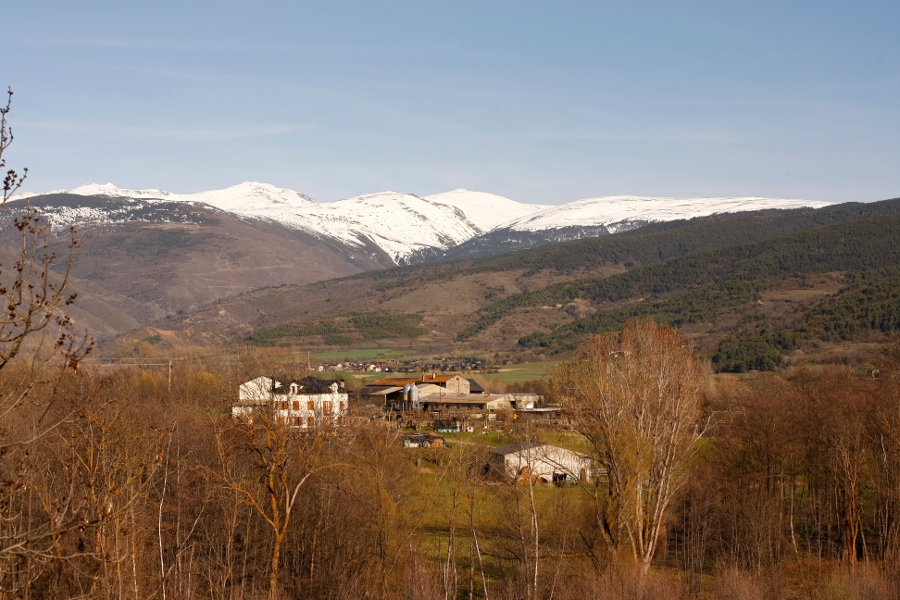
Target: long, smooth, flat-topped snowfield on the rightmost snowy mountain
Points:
(622, 212)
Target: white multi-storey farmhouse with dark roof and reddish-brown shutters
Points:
(307, 403)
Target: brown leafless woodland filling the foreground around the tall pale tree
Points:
(113, 485)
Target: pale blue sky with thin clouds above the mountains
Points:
(541, 102)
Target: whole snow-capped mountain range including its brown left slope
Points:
(149, 254)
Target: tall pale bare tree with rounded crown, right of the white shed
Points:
(635, 396)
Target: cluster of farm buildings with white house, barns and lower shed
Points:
(424, 403)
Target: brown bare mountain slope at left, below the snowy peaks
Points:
(141, 260)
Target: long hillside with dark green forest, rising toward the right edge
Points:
(749, 289)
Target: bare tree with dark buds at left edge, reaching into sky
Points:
(37, 340)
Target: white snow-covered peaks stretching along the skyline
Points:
(411, 228)
